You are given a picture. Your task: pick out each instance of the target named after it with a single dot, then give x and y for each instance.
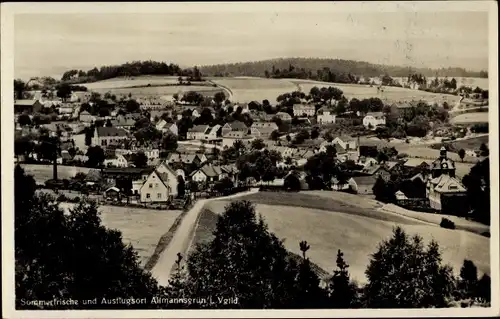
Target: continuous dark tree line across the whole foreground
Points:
(244, 263)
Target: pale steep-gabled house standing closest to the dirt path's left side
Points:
(159, 187)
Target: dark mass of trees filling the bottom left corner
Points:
(53, 249)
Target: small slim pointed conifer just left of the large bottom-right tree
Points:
(342, 292)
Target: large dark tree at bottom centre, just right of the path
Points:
(243, 260)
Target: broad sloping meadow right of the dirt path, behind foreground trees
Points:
(332, 227)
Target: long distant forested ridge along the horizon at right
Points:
(360, 68)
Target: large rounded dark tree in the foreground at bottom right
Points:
(404, 274)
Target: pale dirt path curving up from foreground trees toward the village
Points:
(182, 239)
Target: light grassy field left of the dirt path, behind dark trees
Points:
(140, 227)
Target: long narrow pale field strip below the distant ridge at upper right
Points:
(391, 94)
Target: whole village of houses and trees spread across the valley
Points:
(159, 152)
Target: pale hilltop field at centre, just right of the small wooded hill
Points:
(247, 89)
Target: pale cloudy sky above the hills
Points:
(48, 44)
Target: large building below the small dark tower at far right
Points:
(448, 195)
